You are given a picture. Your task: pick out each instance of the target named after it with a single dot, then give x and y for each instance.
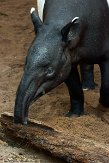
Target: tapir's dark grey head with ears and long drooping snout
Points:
(47, 65)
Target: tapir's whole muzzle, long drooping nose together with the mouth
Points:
(29, 90)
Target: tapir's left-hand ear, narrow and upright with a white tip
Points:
(35, 19)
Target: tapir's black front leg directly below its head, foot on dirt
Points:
(76, 93)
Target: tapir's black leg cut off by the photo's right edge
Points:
(104, 91)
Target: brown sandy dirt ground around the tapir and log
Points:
(16, 34)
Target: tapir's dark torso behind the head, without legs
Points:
(94, 19)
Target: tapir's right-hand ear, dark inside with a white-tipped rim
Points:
(71, 33)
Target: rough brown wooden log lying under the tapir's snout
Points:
(71, 149)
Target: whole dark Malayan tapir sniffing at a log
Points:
(72, 32)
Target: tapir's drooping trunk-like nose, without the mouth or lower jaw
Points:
(24, 96)
